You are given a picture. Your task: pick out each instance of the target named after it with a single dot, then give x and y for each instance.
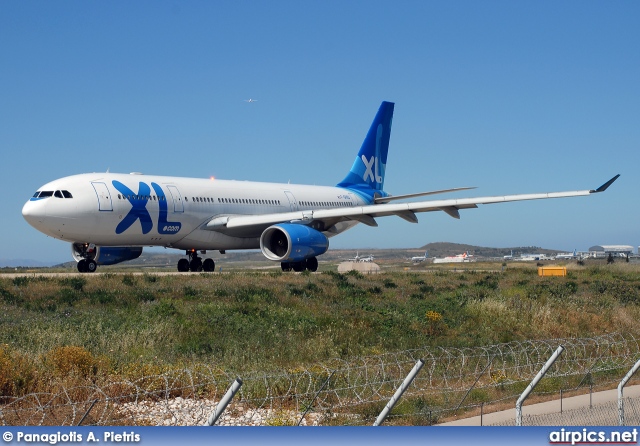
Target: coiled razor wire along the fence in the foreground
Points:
(188, 396)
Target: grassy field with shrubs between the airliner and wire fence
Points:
(92, 326)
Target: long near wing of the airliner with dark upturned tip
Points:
(254, 224)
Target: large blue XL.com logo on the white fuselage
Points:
(139, 209)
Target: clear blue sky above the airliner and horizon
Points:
(512, 97)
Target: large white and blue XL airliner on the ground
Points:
(109, 217)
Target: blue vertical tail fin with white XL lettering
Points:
(367, 173)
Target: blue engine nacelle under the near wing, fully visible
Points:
(288, 242)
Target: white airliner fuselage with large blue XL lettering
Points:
(109, 209)
